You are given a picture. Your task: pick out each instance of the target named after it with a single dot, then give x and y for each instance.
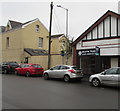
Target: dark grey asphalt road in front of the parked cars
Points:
(19, 92)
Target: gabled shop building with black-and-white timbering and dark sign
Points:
(97, 49)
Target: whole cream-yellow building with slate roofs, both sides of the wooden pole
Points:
(28, 43)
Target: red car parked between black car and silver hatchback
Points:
(29, 69)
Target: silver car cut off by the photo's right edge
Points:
(108, 77)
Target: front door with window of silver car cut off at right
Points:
(110, 76)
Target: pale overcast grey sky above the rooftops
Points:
(81, 13)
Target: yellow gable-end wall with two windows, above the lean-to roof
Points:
(31, 36)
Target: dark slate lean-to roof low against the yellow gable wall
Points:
(35, 52)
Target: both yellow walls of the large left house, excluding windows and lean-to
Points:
(21, 38)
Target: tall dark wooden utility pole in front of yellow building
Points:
(49, 46)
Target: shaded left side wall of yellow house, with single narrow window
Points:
(14, 51)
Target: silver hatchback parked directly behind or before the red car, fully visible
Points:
(64, 71)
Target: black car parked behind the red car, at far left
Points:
(9, 67)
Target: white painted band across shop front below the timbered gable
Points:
(107, 47)
